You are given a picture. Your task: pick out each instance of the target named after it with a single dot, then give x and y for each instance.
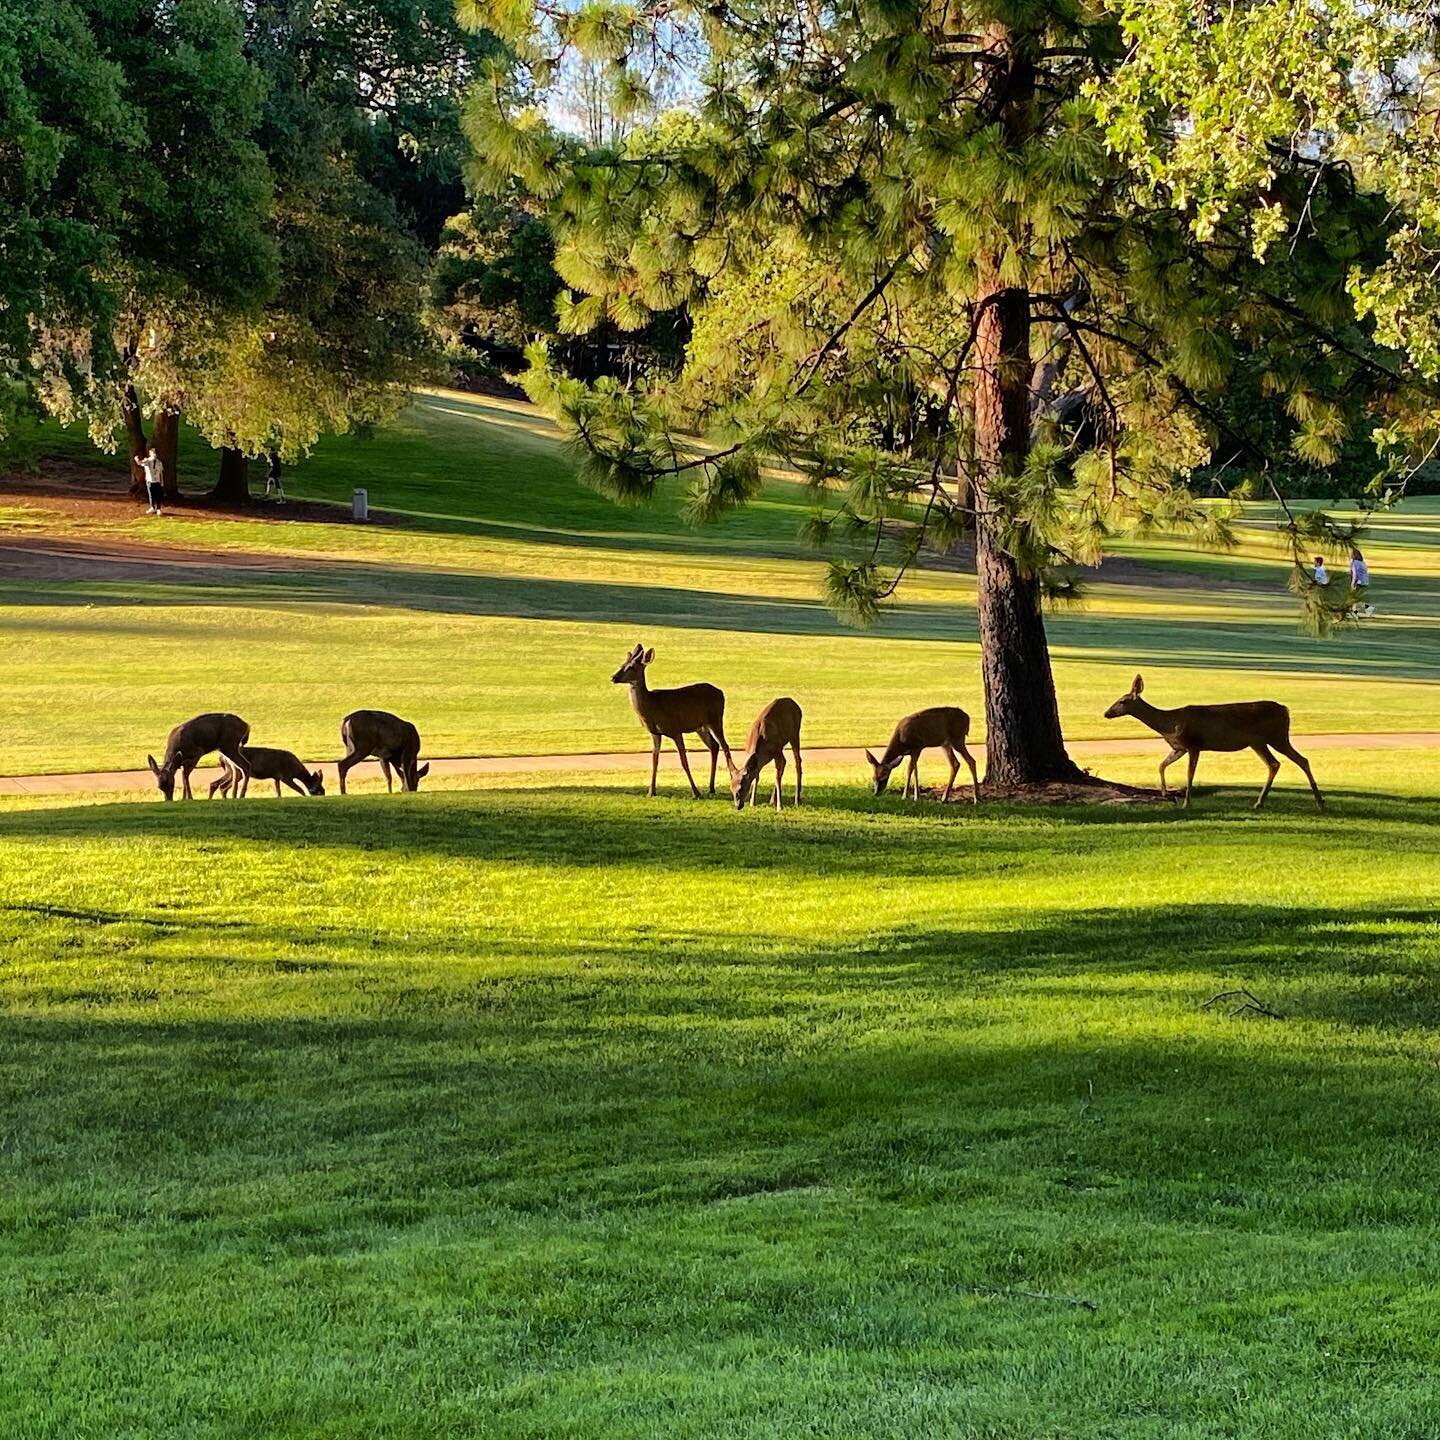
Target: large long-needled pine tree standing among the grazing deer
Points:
(963, 266)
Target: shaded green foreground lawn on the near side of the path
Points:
(548, 1111)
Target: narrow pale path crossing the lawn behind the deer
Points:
(103, 783)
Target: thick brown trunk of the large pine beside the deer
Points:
(1023, 744)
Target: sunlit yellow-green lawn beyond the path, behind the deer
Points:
(496, 611)
